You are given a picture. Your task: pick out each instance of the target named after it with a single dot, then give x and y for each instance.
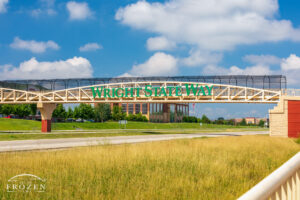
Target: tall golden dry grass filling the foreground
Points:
(210, 168)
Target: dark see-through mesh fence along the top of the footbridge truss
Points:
(274, 82)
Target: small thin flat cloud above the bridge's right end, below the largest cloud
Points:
(262, 59)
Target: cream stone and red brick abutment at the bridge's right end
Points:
(285, 118)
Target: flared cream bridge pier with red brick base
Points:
(46, 110)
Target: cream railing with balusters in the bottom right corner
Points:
(283, 183)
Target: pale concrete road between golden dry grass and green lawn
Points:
(42, 144)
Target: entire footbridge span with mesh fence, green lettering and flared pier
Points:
(181, 89)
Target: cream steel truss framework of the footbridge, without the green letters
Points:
(221, 93)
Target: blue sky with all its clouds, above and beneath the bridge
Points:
(73, 39)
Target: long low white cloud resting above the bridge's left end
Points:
(76, 67)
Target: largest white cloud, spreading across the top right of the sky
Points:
(210, 25)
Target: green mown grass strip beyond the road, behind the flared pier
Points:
(106, 129)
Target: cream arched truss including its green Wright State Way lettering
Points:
(145, 91)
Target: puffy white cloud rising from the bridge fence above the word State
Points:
(159, 64)
